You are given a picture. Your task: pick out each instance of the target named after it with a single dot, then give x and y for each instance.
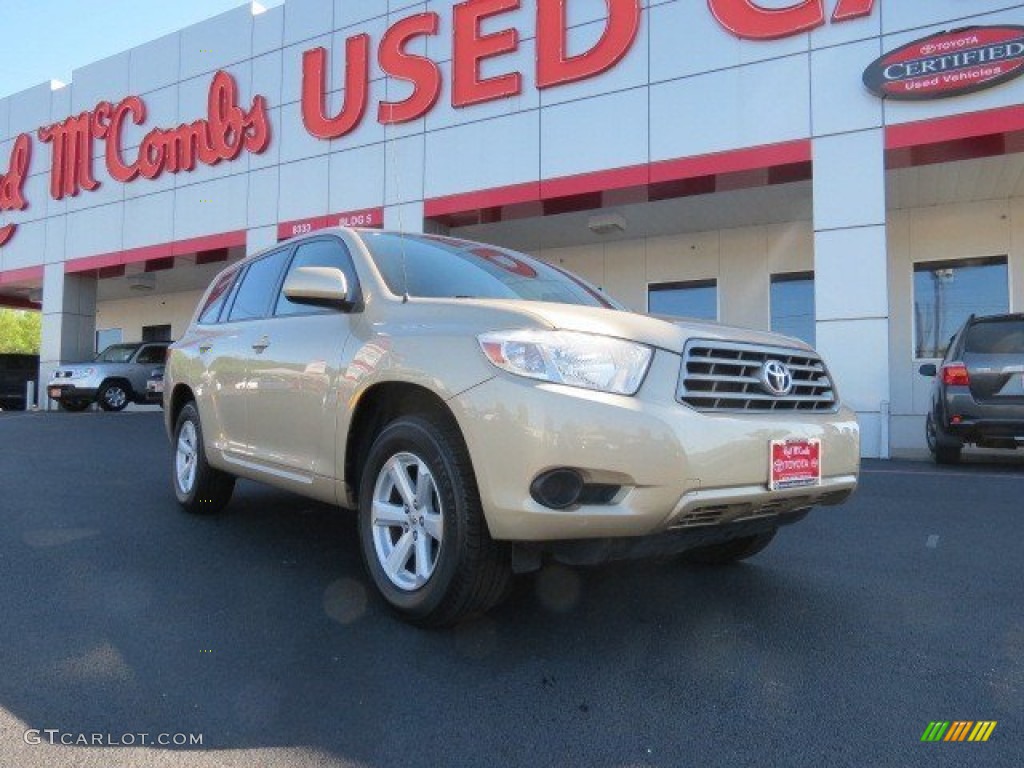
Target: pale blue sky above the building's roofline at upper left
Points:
(46, 40)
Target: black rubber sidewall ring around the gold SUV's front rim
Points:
(423, 440)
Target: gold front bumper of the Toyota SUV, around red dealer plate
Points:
(677, 470)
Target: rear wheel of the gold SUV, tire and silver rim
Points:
(199, 488)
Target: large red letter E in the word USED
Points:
(471, 49)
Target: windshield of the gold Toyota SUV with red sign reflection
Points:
(445, 268)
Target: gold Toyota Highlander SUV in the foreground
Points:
(485, 411)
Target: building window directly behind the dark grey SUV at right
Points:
(947, 293)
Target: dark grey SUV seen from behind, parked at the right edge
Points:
(978, 396)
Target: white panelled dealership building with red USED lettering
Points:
(848, 172)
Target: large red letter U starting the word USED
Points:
(315, 66)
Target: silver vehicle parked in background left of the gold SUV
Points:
(118, 376)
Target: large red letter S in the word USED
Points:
(420, 71)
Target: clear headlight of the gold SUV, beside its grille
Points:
(578, 360)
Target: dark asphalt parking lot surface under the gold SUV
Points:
(259, 631)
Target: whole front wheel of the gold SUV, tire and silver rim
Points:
(424, 539)
